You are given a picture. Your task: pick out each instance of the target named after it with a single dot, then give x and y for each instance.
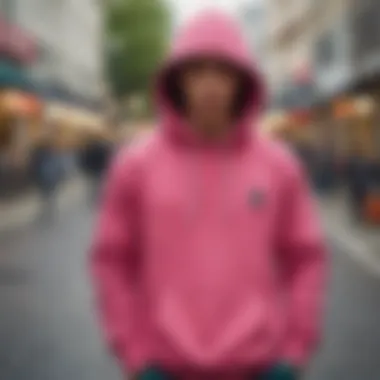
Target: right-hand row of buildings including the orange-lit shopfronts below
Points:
(338, 42)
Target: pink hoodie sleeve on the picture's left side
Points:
(113, 256)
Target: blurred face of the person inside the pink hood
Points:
(210, 89)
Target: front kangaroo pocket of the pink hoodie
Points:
(250, 332)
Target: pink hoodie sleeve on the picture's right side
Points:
(302, 255)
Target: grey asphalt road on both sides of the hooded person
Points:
(48, 330)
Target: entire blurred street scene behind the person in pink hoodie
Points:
(75, 85)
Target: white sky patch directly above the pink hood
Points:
(186, 8)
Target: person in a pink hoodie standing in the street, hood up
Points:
(208, 259)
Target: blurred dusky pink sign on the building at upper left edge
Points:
(15, 42)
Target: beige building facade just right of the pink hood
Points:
(294, 26)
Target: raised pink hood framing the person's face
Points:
(211, 34)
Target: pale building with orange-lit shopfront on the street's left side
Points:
(50, 58)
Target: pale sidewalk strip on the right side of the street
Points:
(362, 242)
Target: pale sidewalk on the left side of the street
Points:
(23, 211)
